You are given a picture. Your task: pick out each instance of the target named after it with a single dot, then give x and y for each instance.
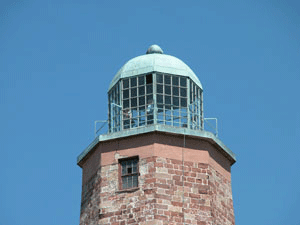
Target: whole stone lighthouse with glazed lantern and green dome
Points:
(156, 164)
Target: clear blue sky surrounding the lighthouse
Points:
(57, 59)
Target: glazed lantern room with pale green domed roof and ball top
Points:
(155, 88)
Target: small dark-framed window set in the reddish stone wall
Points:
(129, 171)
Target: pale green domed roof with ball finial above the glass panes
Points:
(155, 61)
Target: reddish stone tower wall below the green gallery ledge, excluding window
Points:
(203, 179)
